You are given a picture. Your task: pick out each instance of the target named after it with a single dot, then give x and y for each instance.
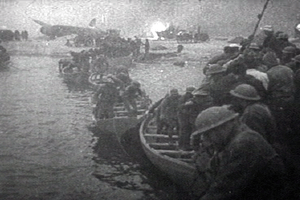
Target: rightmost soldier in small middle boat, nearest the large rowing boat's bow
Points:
(129, 96)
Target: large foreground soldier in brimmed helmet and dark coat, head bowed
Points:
(239, 163)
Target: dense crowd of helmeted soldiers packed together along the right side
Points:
(243, 121)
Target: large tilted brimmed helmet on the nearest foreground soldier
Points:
(213, 117)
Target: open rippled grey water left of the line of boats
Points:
(47, 151)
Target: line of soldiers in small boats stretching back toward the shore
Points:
(114, 83)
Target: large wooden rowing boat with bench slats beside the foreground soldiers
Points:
(177, 164)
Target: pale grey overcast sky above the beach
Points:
(135, 16)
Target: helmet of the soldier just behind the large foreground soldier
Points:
(245, 91)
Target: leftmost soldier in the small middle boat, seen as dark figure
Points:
(106, 94)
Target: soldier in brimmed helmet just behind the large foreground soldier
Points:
(255, 114)
